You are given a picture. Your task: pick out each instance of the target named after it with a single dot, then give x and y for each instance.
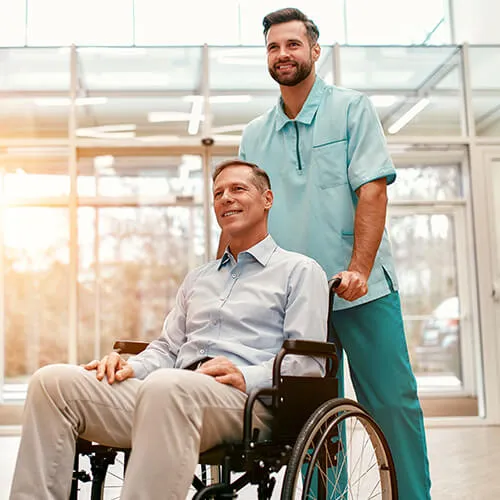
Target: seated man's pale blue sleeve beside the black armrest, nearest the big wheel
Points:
(305, 319)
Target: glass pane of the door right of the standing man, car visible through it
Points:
(424, 247)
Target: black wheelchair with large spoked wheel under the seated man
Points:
(330, 447)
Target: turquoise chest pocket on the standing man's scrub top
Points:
(329, 162)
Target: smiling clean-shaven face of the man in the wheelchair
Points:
(241, 207)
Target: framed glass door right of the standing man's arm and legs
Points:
(431, 235)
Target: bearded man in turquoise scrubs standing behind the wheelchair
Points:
(325, 152)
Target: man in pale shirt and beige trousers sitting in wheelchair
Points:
(186, 392)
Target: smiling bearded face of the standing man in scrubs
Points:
(290, 56)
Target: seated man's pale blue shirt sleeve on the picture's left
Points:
(162, 352)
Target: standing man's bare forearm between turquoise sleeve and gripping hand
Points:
(369, 223)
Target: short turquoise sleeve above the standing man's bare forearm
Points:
(367, 156)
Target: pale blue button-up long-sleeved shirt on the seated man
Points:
(244, 311)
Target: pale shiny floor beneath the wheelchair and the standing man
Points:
(464, 464)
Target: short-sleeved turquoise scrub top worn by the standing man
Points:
(316, 163)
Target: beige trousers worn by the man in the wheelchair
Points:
(167, 419)
